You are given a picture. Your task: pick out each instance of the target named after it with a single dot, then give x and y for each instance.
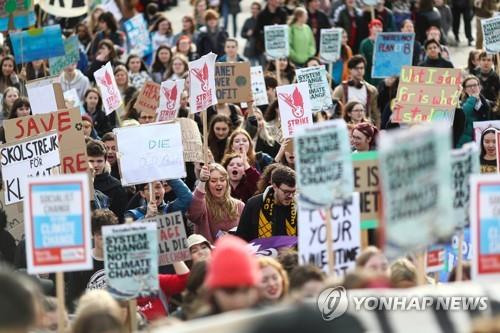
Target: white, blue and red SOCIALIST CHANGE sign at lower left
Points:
(57, 224)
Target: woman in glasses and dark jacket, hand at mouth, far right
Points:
(475, 107)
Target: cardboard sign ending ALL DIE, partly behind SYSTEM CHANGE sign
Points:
(172, 239)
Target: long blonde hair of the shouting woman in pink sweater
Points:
(225, 208)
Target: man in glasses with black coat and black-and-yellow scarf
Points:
(272, 213)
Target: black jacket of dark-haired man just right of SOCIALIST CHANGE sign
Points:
(112, 187)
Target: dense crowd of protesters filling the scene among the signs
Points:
(248, 189)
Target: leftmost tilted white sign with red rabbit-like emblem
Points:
(106, 82)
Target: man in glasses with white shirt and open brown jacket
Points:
(357, 89)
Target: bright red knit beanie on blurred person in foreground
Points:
(232, 265)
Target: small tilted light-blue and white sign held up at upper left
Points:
(139, 40)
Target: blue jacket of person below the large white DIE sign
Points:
(182, 203)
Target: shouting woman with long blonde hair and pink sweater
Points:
(213, 211)
